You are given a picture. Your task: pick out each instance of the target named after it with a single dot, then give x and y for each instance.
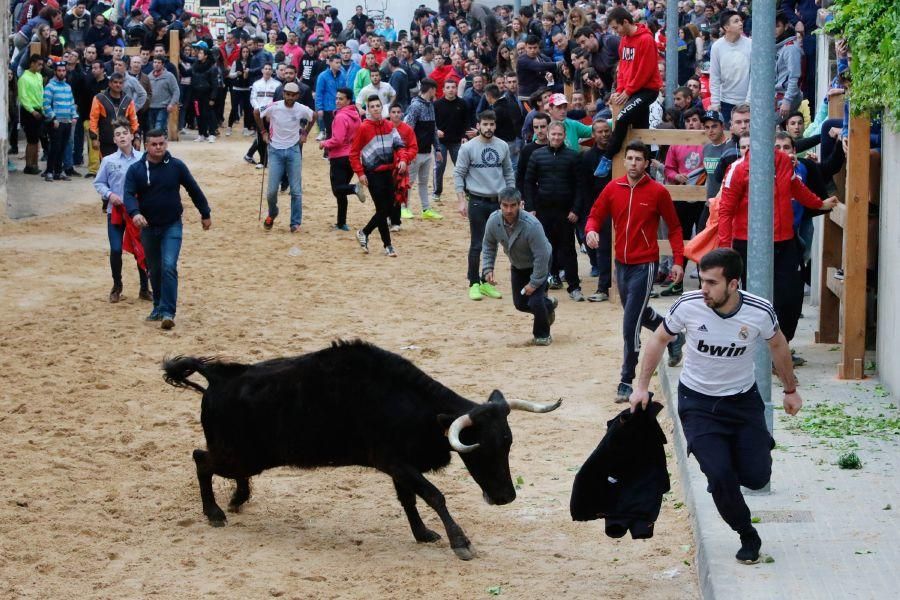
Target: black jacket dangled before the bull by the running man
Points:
(625, 478)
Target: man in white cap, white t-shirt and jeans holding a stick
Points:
(289, 124)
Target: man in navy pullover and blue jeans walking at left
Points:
(153, 201)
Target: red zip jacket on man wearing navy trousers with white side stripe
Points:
(635, 214)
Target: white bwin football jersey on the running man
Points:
(719, 349)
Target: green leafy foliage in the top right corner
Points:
(872, 29)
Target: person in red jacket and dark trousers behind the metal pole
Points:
(733, 219)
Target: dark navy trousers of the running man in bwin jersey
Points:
(728, 437)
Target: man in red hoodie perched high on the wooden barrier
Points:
(637, 82)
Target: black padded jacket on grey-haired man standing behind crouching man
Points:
(551, 180)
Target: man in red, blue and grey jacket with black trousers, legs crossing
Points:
(373, 153)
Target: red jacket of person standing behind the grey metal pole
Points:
(734, 203)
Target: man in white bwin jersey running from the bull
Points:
(719, 405)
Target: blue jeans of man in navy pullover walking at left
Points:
(162, 245)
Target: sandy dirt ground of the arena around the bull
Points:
(100, 496)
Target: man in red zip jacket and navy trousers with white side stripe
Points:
(636, 203)
